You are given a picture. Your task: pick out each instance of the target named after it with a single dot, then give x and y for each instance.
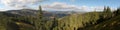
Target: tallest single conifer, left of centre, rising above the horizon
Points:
(38, 22)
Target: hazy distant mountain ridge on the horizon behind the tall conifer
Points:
(31, 12)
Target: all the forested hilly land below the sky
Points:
(104, 20)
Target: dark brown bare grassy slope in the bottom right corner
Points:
(111, 24)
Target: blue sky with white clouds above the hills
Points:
(59, 5)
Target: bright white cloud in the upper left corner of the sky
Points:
(19, 3)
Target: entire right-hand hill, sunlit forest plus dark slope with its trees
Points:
(105, 20)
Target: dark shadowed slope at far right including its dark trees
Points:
(112, 23)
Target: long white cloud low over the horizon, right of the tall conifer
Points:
(64, 7)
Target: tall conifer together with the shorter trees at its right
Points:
(41, 24)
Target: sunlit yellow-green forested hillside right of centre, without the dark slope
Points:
(74, 21)
